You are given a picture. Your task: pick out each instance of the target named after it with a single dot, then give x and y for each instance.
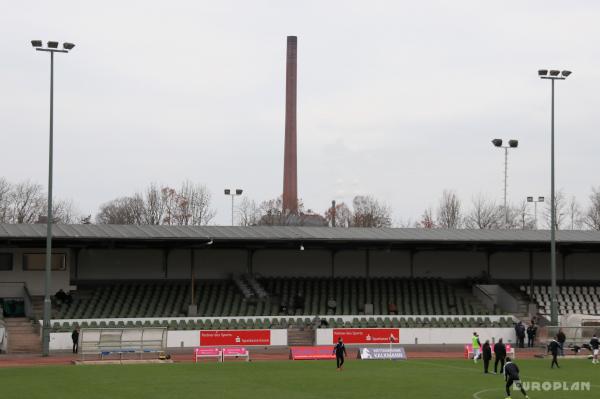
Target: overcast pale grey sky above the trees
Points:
(398, 99)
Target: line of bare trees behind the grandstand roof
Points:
(190, 204)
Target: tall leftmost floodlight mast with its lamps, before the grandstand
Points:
(52, 47)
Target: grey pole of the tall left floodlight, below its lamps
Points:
(48, 280)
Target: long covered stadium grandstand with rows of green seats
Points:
(299, 279)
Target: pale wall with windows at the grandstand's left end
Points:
(35, 278)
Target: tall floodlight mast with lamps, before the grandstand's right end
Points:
(553, 75)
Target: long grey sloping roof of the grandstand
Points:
(282, 234)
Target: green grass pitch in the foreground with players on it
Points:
(422, 379)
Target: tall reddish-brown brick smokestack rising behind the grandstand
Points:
(290, 178)
